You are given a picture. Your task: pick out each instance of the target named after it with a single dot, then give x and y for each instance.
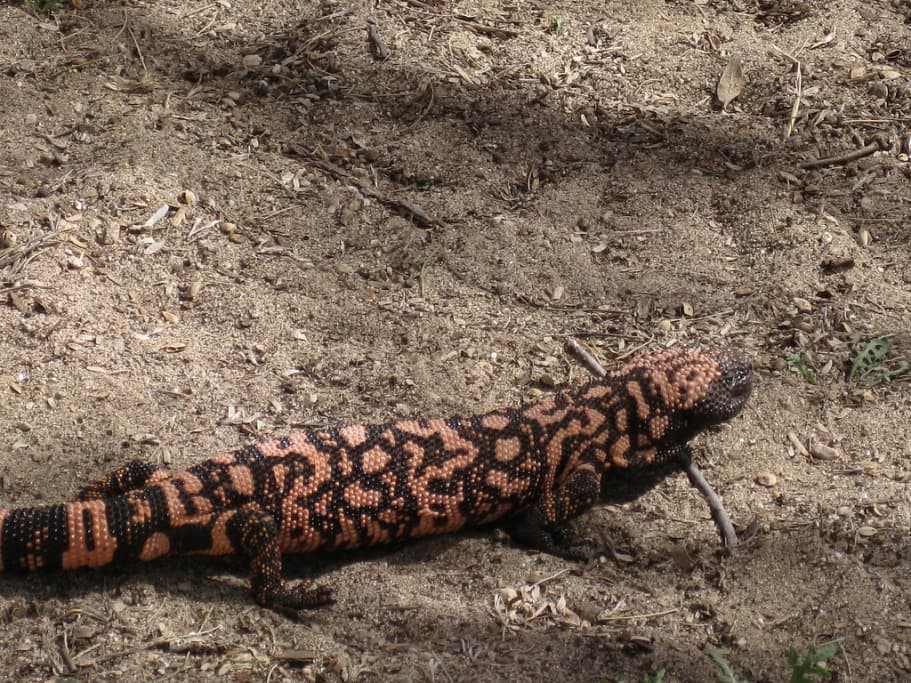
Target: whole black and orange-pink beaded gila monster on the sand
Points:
(532, 467)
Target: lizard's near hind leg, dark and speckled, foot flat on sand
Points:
(254, 534)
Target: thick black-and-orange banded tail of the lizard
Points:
(84, 533)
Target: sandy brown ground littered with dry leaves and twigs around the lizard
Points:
(357, 230)
